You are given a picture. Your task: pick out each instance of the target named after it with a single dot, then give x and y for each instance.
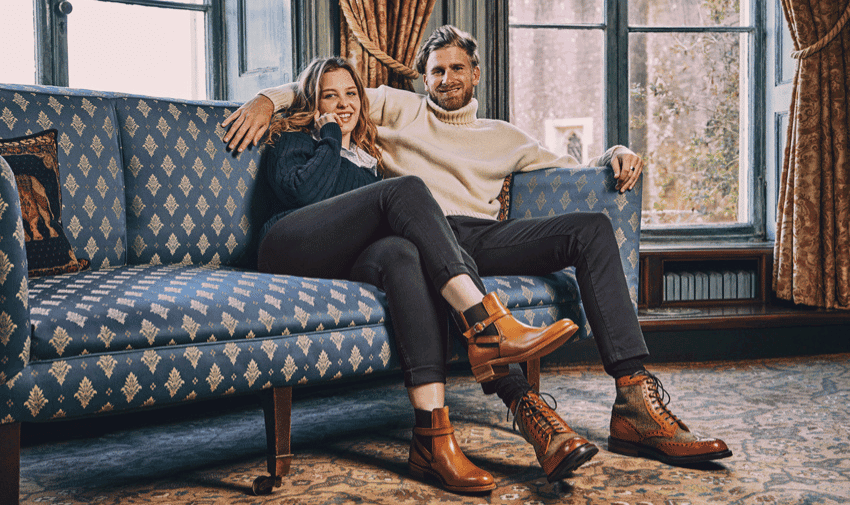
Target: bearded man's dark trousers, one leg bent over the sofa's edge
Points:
(539, 246)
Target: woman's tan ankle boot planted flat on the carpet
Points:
(444, 460)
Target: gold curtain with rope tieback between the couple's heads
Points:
(382, 37)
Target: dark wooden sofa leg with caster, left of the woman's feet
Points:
(277, 407)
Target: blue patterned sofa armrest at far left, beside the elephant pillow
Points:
(14, 314)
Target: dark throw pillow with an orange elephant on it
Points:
(35, 163)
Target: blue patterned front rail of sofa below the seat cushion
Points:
(132, 379)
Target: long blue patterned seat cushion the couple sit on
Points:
(140, 307)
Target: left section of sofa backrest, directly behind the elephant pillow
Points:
(89, 161)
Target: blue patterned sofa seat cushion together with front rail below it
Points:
(76, 372)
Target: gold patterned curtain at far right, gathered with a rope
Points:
(811, 258)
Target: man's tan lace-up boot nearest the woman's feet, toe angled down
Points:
(559, 449)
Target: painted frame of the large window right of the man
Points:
(616, 115)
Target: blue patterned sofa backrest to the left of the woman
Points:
(145, 180)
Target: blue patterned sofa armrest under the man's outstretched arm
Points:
(586, 189)
